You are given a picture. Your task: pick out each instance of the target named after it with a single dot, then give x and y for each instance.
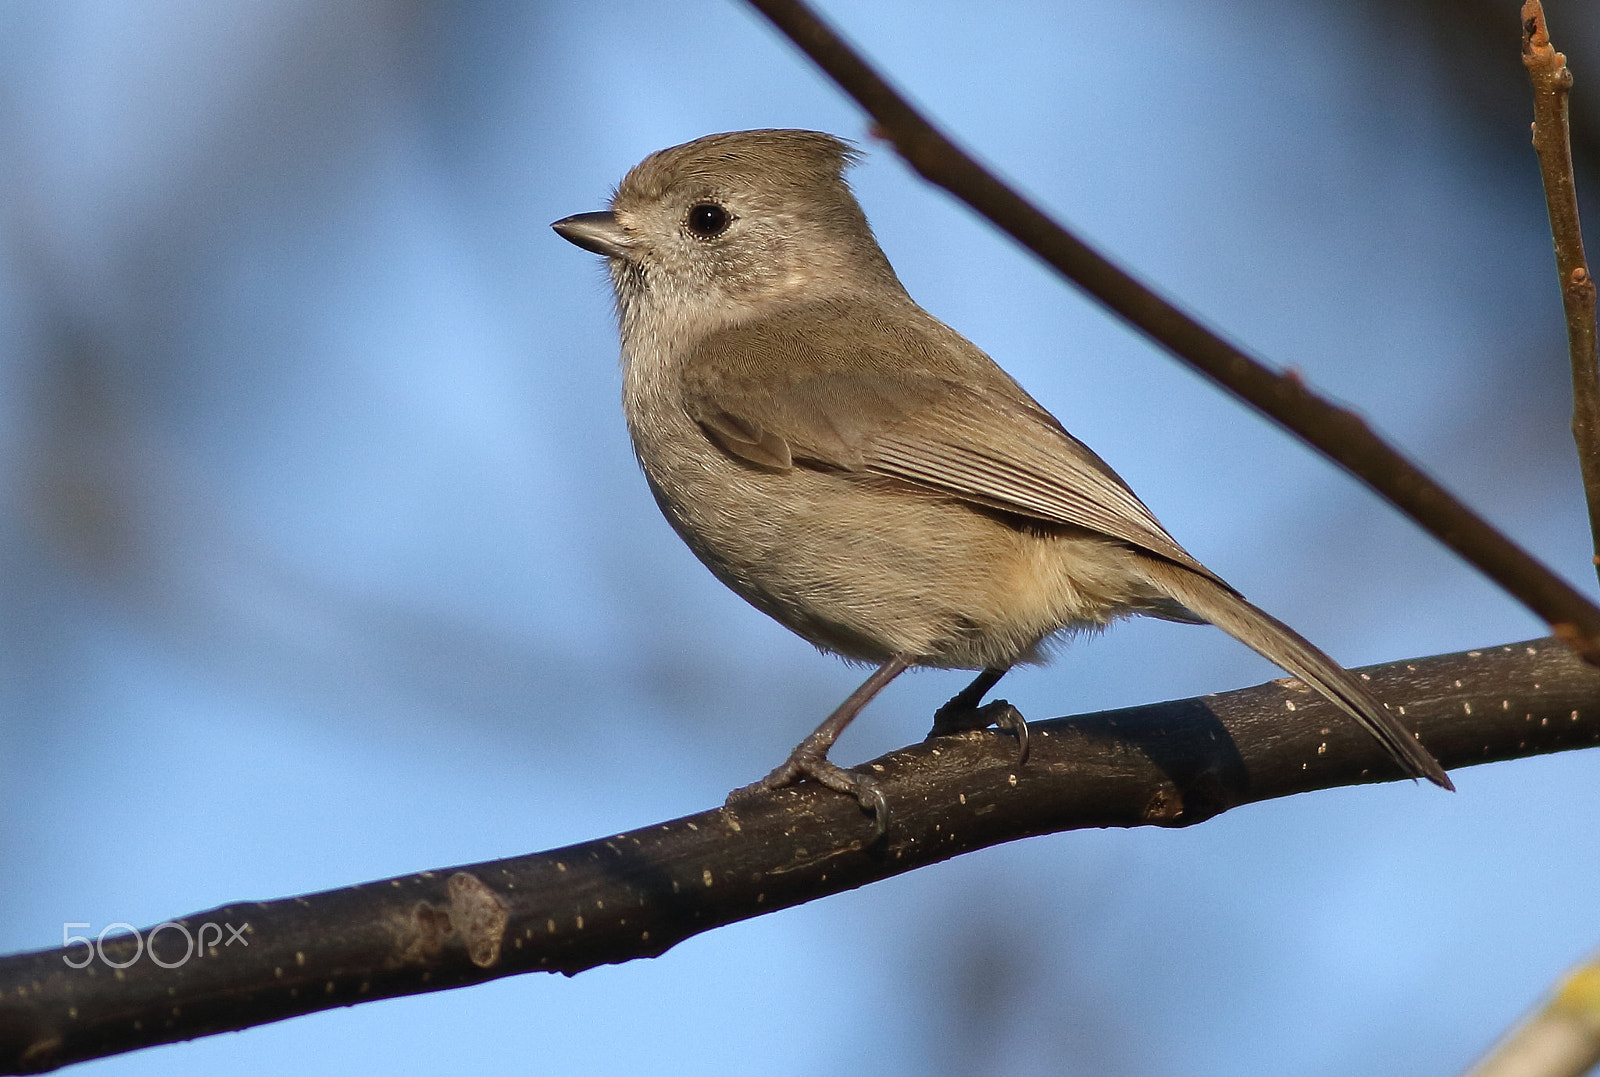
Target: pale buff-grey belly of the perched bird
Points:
(868, 571)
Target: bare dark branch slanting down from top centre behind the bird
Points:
(1337, 433)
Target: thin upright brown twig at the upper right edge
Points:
(1551, 140)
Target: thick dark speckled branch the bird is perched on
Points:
(641, 894)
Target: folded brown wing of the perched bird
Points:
(892, 401)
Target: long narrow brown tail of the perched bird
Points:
(1282, 646)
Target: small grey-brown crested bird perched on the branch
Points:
(860, 471)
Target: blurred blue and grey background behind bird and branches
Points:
(324, 556)
